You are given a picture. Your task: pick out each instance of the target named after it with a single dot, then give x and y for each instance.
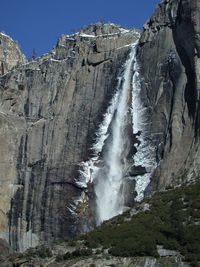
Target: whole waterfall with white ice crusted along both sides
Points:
(109, 167)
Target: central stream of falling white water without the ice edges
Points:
(110, 201)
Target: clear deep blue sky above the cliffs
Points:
(38, 23)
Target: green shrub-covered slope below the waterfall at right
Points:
(170, 223)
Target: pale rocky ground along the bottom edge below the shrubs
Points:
(53, 256)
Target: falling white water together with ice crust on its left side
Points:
(107, 171)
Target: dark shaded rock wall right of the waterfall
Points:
(169, 66)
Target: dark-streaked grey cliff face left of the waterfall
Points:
(49, 111)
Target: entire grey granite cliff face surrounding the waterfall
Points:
(51, 108)
